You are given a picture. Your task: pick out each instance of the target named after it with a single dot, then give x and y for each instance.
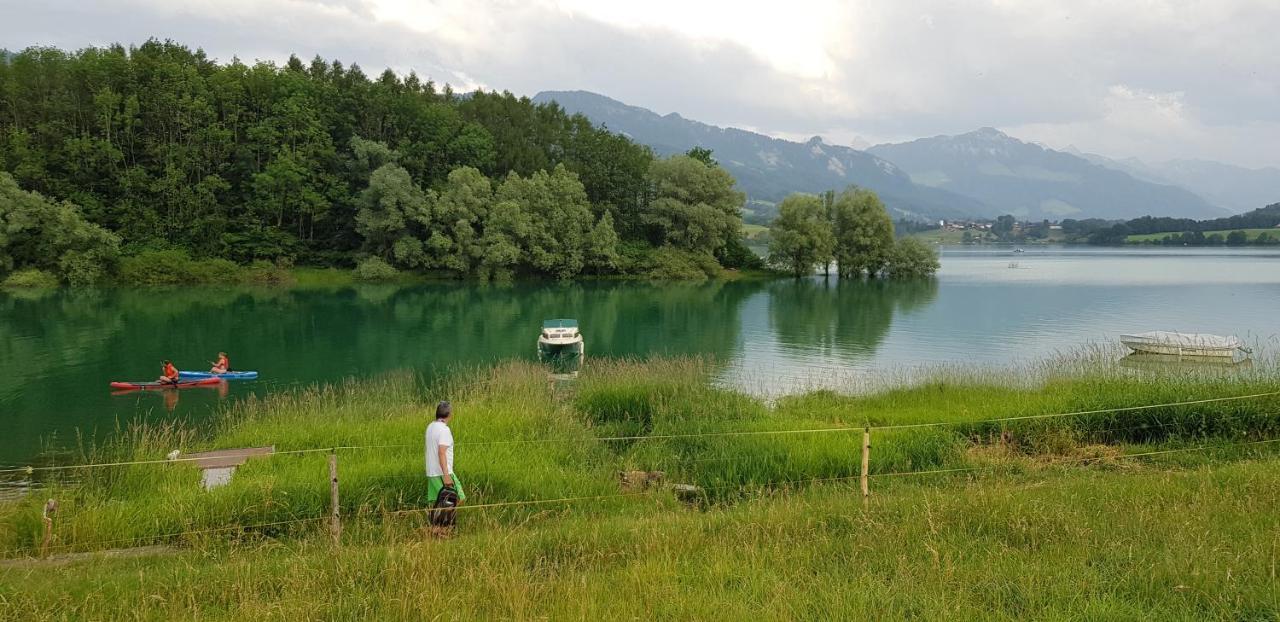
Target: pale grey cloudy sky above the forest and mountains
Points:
(1150, 79)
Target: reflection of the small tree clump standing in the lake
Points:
(842, 318)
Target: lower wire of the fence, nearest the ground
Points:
(651, 492)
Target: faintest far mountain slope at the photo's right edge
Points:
(1235, 189)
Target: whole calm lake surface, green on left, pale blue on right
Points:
(58, 350)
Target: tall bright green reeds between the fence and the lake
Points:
(524, 438)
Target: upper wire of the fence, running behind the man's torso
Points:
(33, 469)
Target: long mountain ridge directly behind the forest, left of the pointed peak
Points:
(769, 170)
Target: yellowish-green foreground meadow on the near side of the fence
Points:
(1119, 543)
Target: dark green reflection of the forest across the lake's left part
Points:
(60, 351)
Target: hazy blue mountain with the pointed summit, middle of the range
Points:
(1032, 182)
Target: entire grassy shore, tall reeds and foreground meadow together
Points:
(1045, 518)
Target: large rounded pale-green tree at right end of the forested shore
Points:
(694, 205)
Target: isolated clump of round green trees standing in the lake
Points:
(852, 230)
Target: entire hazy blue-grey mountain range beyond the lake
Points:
(980, 175)
